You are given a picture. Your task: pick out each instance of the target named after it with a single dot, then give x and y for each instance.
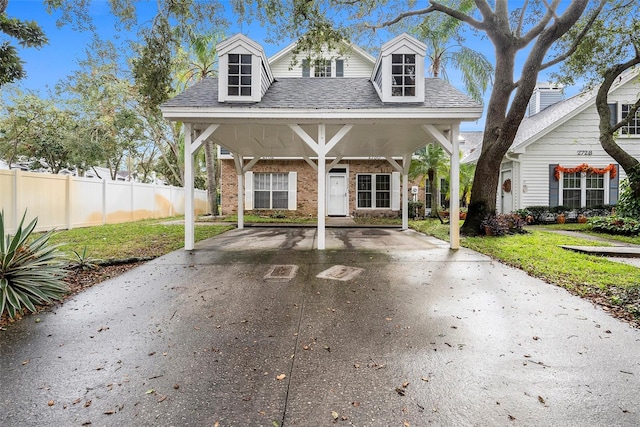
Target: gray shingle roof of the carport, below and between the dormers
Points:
(322, 93)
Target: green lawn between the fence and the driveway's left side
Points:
(141, 239)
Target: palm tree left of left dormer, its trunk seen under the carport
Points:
(199, 64)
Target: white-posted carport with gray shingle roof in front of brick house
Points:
(322, 121)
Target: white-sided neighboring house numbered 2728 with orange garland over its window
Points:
(556, 158)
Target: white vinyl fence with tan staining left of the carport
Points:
(69, 202)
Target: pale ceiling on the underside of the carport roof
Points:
(364, 140)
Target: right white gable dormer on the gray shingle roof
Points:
(398, 75)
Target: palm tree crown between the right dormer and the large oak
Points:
(445, 49)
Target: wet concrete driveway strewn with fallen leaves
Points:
(397, 330)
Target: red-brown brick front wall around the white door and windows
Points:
(307, 197)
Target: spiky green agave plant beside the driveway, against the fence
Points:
(31, 269)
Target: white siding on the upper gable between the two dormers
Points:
(354, 64)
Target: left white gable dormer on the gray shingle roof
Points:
(244, 73)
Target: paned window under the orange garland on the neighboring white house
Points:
(582, 189)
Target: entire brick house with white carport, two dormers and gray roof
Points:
(331, 137)
